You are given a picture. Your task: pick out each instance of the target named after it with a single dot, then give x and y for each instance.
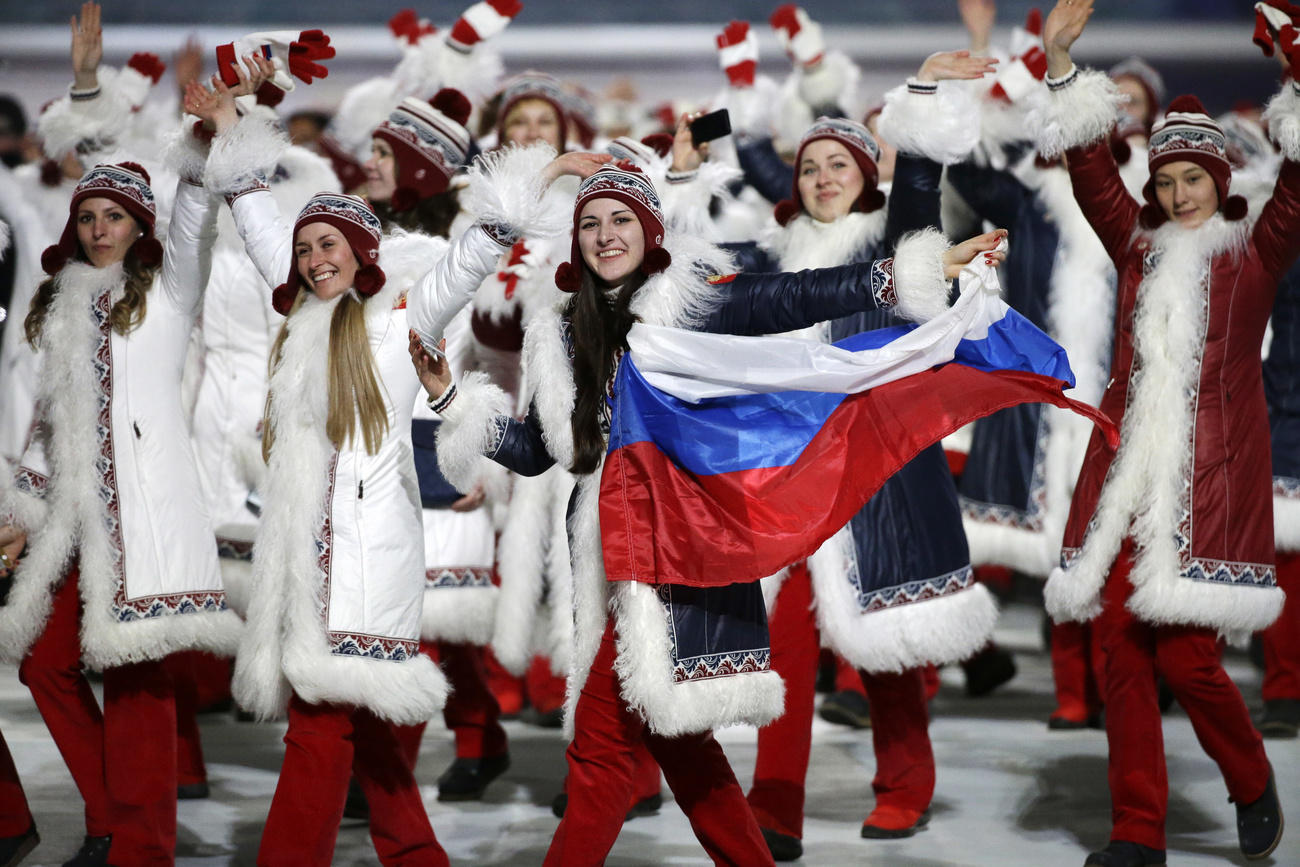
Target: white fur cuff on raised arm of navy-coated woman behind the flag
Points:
(941, 123)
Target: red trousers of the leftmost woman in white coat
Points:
(124, 760)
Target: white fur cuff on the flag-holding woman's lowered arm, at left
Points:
(470, 430)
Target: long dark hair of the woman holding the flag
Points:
(600, 320)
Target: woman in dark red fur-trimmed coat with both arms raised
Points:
(1169, 544)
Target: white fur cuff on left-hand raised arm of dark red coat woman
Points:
(1080, 110)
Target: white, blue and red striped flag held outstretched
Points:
(734, 457)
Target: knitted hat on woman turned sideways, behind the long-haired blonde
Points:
(430, 142)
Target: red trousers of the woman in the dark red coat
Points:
(1189, 660)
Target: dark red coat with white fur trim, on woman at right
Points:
(1203, 527)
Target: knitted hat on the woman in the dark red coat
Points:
(1188, 133)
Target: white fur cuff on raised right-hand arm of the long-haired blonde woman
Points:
(506, 189)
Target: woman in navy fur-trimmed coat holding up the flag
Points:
(668, 664)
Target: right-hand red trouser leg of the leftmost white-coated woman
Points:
(140, 762)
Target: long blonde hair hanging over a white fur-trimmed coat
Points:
(354, 387)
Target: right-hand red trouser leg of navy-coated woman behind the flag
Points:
(900, 734)
